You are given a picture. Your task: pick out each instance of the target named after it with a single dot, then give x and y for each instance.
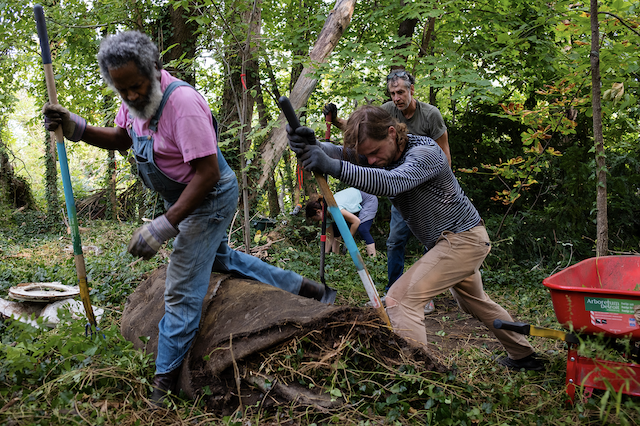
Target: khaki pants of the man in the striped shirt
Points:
(452, 264)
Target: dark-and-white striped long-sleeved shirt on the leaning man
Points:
(421, 186)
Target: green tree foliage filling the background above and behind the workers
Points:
(527, 57)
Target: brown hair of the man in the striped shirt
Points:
(371, 122)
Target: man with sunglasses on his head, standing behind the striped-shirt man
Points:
(421, 119)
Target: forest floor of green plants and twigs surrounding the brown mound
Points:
(64, 376)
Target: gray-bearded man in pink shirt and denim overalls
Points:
(169, 126)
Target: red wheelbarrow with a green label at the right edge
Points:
(596, 296)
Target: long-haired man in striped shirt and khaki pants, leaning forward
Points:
(380, 158)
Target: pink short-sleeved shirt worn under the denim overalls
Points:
(185, 130)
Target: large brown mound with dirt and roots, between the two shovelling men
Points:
(260, 342)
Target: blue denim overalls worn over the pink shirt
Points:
(200, 247)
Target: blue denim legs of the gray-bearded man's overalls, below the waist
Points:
(202, 241)
